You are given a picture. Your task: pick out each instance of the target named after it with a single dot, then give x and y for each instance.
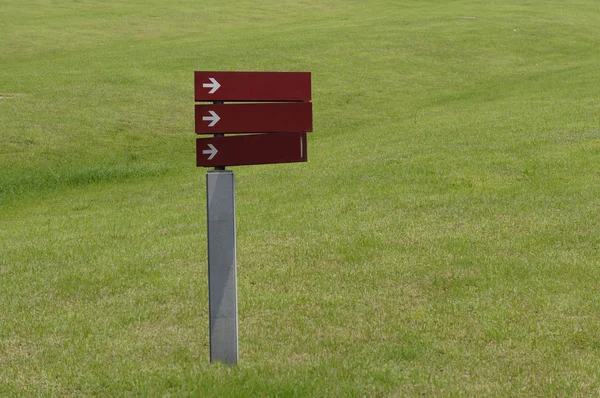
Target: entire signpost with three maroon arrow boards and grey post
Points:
(283, 122)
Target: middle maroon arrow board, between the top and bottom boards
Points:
(254, 118)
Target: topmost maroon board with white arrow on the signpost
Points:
(252, 86)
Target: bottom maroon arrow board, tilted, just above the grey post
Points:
(251, 149)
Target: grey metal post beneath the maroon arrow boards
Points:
(222, 279)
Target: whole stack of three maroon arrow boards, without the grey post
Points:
(283, 110)
